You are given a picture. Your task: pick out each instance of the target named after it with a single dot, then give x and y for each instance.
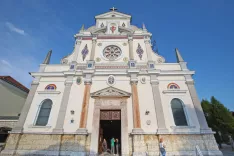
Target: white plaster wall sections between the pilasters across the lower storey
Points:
(146, 103)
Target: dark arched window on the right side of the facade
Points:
(178, 113)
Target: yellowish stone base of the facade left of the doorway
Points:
(49, 144)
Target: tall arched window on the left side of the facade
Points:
(44, 113)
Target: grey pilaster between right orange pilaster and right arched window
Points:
(158, 106)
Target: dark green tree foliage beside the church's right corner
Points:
(219, 118)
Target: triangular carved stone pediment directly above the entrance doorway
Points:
(110, 92)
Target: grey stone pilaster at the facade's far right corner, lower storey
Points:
(197, 105)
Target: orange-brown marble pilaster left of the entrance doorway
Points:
(85, 105)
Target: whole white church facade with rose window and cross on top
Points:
(113, 85)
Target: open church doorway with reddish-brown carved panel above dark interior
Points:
(110, 127)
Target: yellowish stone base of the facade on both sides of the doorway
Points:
(139, 145)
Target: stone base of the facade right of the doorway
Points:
(176, 145)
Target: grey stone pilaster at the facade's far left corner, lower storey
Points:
(23, 115)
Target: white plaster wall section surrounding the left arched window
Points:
(37, 101)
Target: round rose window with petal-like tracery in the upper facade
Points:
(112, 52)
